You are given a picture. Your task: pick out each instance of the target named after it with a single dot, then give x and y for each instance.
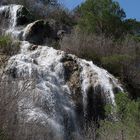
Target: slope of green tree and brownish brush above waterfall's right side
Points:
(103, 35)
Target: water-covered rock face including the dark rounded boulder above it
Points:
(67, 91)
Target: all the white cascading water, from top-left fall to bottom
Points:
(51, 102)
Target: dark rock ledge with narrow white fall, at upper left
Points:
(14, 15)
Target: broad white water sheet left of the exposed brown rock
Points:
(50, 83)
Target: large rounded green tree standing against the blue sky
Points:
(101, 17)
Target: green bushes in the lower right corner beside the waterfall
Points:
(126, 125)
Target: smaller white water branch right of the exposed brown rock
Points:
(93, 76)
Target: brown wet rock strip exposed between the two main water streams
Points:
(72, 76)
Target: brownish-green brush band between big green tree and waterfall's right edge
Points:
(121, 57)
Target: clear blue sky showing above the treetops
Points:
(131, 7)
